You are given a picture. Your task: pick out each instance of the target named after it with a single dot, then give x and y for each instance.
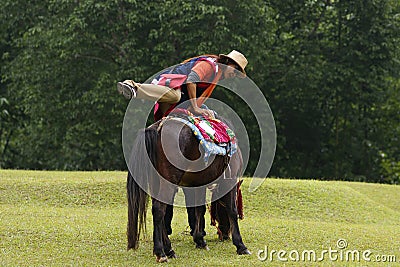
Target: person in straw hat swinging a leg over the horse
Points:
(203, 73)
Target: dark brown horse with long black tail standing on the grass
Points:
(161, 183)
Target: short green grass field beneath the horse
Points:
(79, 219)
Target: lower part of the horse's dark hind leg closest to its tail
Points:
(159, 233)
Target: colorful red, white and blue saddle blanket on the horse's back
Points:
(214, 136)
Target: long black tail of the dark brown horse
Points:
(141, 172)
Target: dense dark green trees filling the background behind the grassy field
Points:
(328, 68)
